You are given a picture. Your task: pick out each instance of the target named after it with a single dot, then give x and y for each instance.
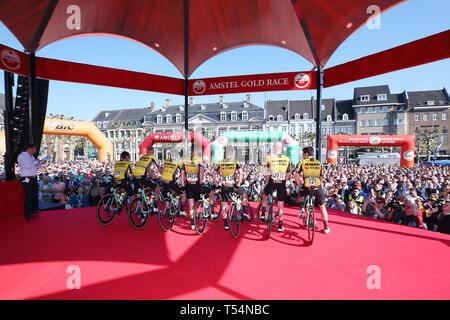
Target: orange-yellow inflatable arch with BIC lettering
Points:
(84, 129)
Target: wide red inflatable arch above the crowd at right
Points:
(406, 143)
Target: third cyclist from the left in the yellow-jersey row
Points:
(171, 170)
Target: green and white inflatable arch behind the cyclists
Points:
(255, 136)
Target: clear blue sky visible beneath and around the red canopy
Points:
(407, 22)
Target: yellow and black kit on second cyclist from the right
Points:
(279, 166)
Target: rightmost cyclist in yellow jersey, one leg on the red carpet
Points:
(311, 170)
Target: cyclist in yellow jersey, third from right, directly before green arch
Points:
(231, 174)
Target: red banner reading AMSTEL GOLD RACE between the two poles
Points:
(302, 80)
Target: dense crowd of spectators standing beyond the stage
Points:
(418, 196)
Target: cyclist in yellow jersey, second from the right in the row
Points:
(278, 172)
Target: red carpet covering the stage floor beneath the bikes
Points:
(119, 262)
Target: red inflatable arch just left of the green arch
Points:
(177, 138)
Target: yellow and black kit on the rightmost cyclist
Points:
(312, 174)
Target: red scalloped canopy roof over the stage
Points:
(311, 28)
